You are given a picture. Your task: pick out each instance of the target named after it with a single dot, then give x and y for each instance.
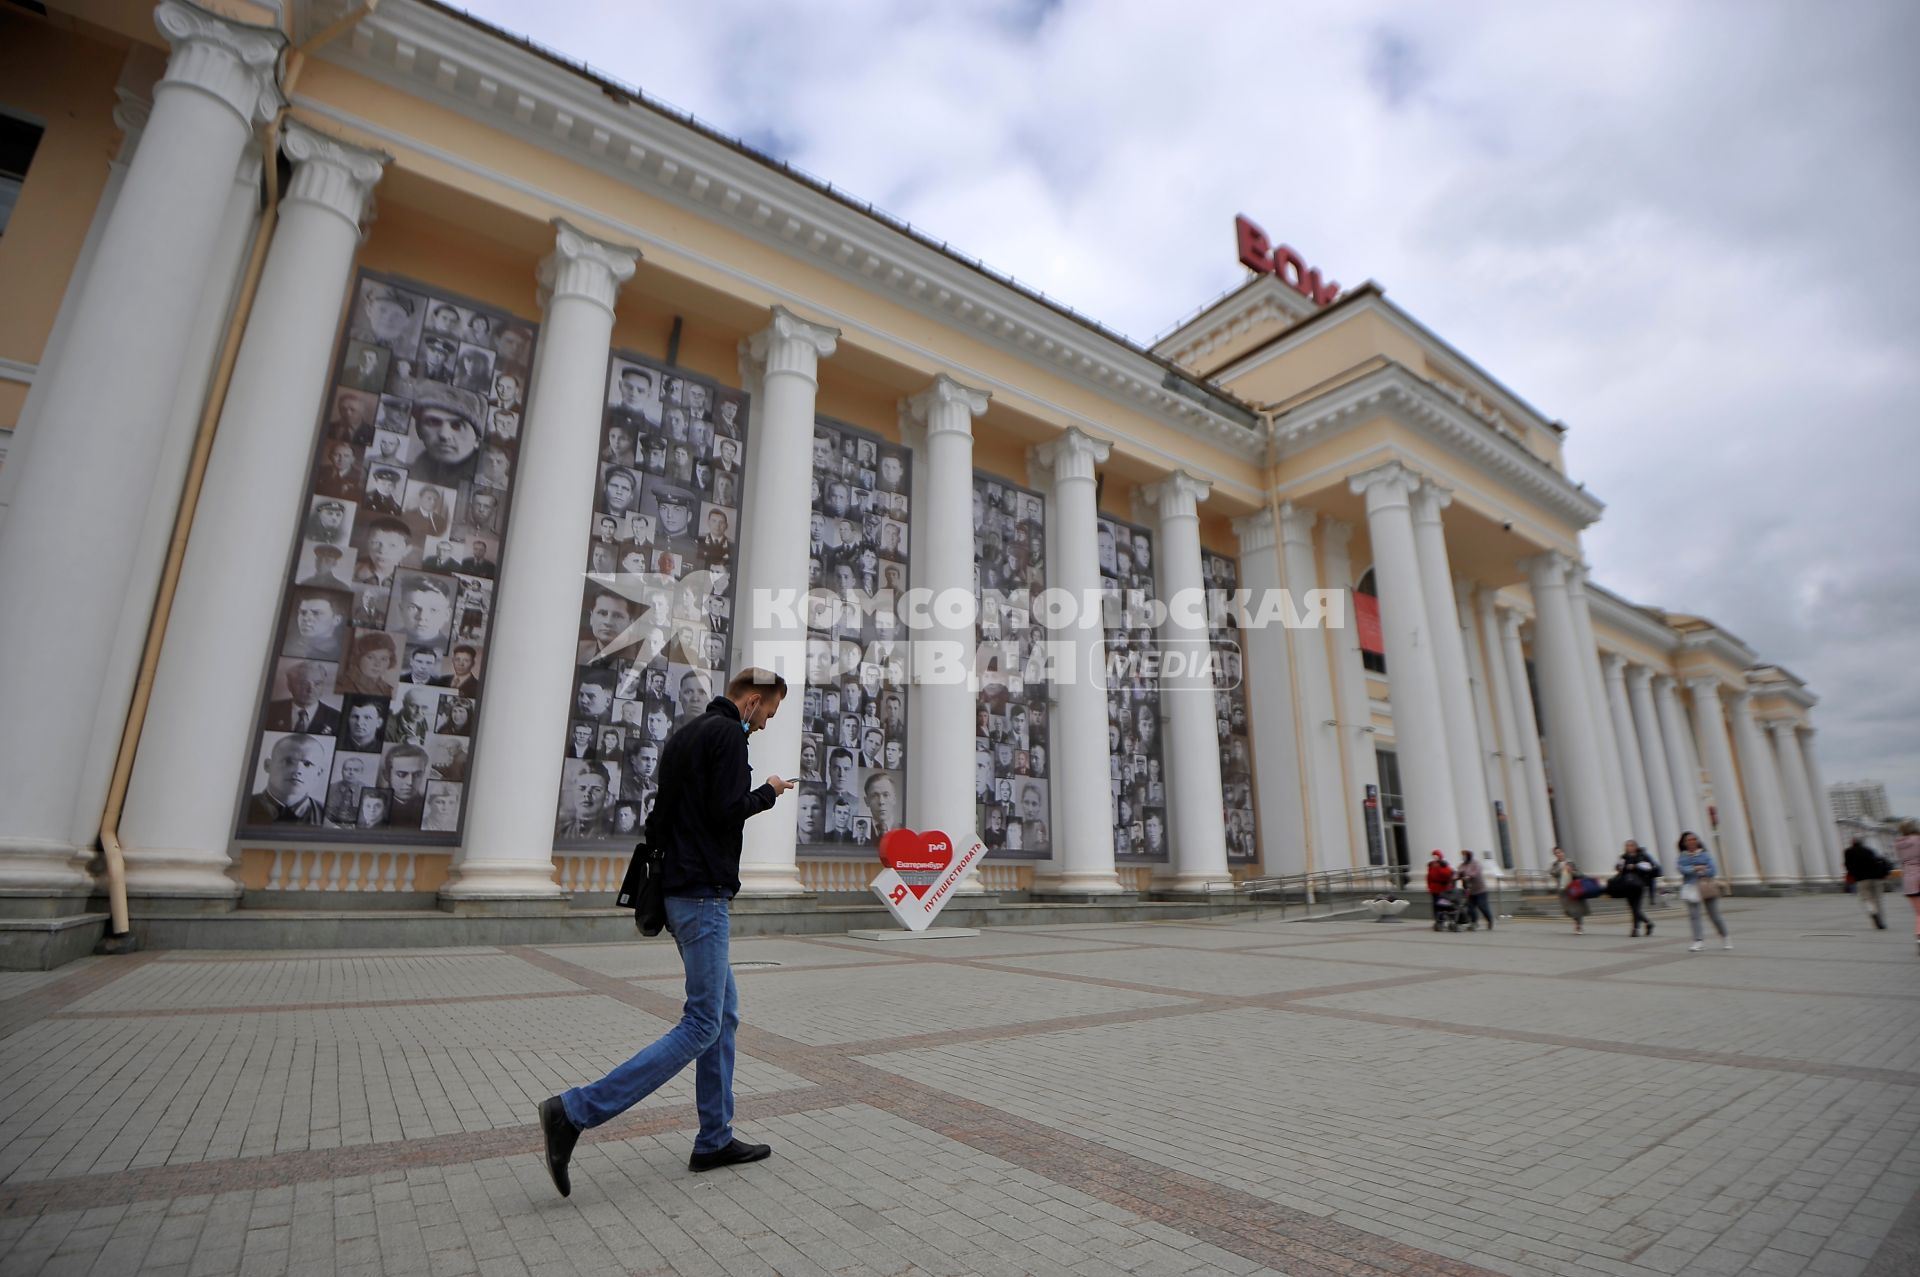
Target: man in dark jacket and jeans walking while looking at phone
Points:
(704, 800)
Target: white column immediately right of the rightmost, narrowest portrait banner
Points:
(1266, 663)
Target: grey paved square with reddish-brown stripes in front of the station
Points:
(1205, 1097)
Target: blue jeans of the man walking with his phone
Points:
(704, 1036)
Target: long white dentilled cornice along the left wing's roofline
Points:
(514, 89)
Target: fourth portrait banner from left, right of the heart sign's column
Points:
(1011, 744)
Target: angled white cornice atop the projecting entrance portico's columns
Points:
(1420, 406)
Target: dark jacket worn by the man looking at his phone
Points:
(704, 802)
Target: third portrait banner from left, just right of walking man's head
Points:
(853, 729)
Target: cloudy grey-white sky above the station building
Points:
(1687, 229)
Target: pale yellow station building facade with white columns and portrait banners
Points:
(404, 423)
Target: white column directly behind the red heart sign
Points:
(946, 567)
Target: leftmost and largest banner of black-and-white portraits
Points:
(375, 687)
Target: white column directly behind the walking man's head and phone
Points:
(775, 577)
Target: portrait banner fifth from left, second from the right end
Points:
(1136, 761)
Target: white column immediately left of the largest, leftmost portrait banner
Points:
(199, 729)
